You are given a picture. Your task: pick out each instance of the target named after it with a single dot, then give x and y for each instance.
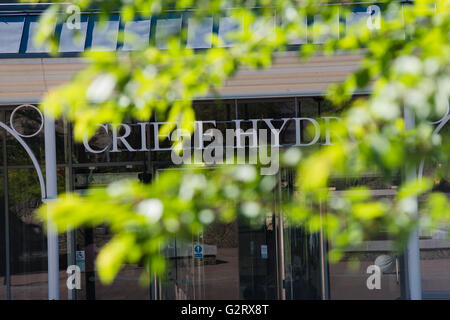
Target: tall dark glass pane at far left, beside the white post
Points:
(28, 241)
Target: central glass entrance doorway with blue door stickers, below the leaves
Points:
(270, 260)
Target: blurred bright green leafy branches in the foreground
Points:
(406, 61)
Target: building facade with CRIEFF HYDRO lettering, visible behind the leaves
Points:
(234, 261)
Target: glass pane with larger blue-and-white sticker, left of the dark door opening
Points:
(209, 275)
